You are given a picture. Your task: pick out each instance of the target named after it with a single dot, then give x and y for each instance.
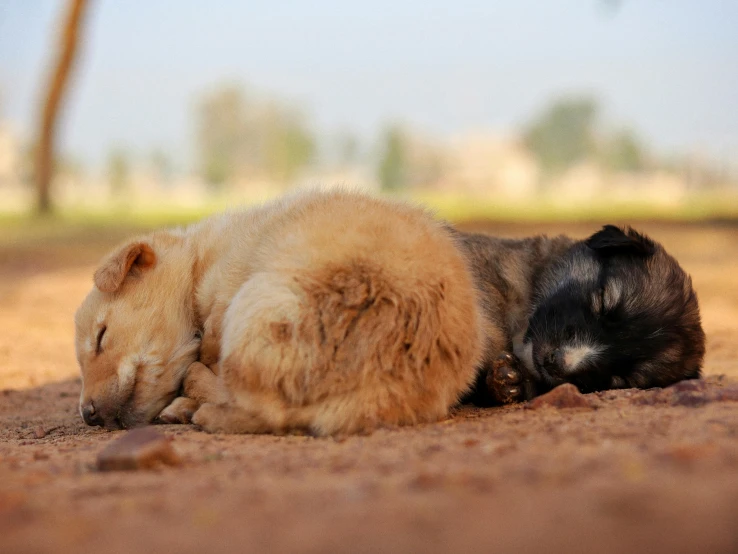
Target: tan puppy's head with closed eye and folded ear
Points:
(136, 332)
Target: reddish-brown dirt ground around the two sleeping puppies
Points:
(643, 471)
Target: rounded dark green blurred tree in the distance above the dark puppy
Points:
(563, 134)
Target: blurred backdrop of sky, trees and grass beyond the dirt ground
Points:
(574, 109)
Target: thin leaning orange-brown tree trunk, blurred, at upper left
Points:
(71, 29)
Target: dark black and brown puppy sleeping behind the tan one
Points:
(612, 311)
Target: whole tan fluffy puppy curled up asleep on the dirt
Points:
(330, 312)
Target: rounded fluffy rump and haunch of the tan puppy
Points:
(360, 312)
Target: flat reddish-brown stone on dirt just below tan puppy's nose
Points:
(143, 448)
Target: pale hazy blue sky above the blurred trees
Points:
(667, 67)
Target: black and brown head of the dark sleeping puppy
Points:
(616, 305)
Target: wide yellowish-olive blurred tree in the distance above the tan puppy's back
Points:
(240, 137)
